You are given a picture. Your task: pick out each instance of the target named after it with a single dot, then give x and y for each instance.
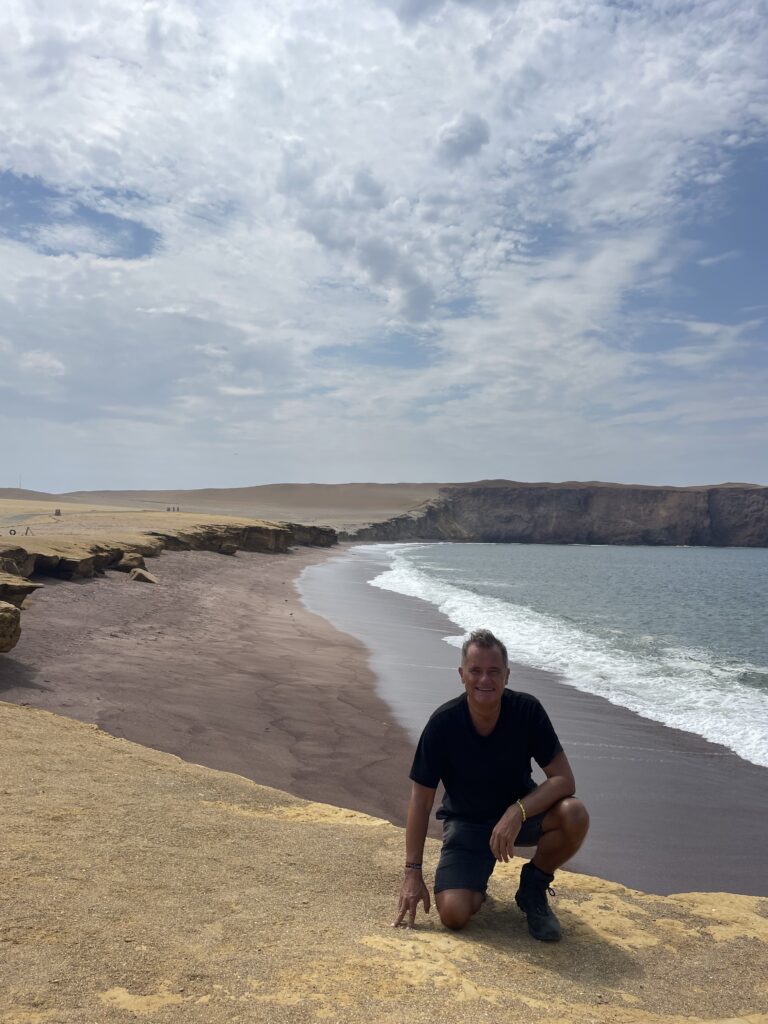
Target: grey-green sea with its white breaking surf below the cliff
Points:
(678, 635)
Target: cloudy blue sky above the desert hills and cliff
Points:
(382, 240)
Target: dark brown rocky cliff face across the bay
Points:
(585, 514)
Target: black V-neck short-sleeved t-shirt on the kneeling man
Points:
(484, 776)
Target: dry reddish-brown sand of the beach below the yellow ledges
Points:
(222, 665)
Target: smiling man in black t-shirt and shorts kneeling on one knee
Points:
(480, 745)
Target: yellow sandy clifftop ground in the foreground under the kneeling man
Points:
(138, 887)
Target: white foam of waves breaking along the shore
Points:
(685, 689)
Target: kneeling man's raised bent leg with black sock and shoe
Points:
(563, 831)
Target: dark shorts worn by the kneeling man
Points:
(466, 861)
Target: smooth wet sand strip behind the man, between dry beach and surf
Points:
(653, 792)
